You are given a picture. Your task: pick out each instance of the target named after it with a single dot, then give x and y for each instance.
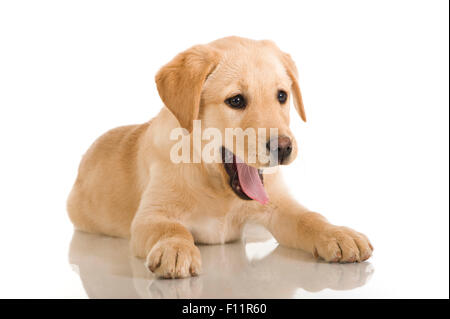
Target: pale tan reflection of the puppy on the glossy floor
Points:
(252, 268)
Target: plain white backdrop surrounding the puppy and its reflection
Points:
(373, 155)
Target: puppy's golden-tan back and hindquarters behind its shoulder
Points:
(106, 193)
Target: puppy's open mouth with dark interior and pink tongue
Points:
(246, 181)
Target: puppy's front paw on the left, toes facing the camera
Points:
(174, 258)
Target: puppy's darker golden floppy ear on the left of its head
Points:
(180, 82)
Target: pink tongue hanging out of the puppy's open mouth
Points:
(251, 183)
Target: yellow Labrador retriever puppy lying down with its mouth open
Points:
(128, 184)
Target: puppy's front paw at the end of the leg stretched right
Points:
(342, 244)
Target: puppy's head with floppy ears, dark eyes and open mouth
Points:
(242, 86)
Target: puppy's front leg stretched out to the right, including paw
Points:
(295, 226)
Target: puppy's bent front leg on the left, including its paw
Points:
(166, 244)
